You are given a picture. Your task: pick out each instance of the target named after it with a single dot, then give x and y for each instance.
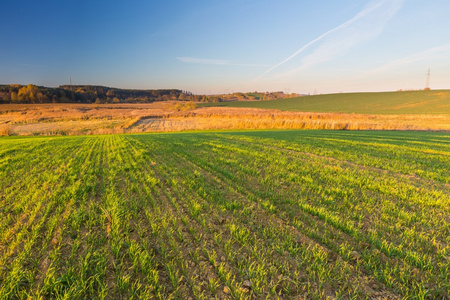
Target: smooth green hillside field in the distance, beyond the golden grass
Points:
(408, 102)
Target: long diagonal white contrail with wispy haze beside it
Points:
(366, 25)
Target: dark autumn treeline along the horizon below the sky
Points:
(17, 93)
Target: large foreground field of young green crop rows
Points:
(263, 214)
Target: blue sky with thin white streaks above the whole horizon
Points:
(212, 46)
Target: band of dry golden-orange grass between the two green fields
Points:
(76, 119)
